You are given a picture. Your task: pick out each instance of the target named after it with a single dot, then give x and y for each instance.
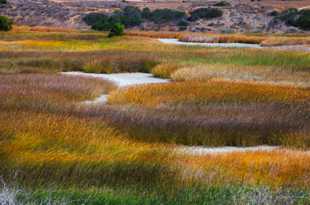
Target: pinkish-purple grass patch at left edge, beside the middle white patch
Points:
(50, 92)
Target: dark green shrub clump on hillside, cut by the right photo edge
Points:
(297, 18)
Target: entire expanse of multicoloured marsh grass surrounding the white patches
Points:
(123, 153)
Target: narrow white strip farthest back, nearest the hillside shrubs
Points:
(223, 45)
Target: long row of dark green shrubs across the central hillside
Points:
(132, 16)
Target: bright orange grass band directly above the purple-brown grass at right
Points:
(207, 92)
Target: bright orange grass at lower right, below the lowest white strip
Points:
(283, 168)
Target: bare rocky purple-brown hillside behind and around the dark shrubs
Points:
(238, 16)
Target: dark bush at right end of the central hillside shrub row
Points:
(205, 13)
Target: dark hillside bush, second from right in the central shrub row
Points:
(166, 15)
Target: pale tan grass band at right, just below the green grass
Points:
(258, 74)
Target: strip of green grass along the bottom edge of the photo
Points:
(230, 195)
